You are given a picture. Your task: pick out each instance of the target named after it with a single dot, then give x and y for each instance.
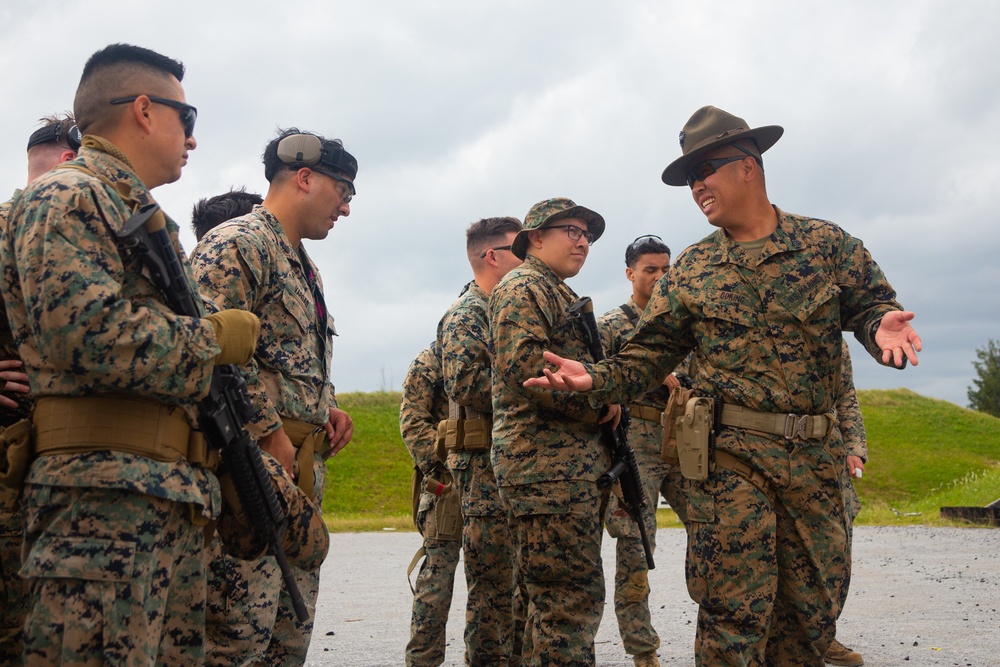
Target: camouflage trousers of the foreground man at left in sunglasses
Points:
(116, 577)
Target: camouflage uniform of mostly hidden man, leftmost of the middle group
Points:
(423, 406)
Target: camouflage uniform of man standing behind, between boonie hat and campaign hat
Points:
(645, 434)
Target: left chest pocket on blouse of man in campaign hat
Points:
(728, 330)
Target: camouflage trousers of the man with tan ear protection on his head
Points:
(262, 628)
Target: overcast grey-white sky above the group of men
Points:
(462, 110)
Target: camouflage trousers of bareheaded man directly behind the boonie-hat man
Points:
(489, 566)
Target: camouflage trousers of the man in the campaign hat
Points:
(769, 578)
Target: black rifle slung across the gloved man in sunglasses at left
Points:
(227, 407)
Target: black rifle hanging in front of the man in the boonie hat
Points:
(624, 468)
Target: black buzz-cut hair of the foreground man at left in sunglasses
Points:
(117, 71)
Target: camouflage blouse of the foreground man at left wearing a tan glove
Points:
(90, 320)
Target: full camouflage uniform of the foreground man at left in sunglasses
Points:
(113, 555)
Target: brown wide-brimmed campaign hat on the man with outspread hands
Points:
(711, 127)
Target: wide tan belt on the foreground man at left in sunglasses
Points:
(65, 425)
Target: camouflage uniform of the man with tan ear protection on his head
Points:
(248, 263)
